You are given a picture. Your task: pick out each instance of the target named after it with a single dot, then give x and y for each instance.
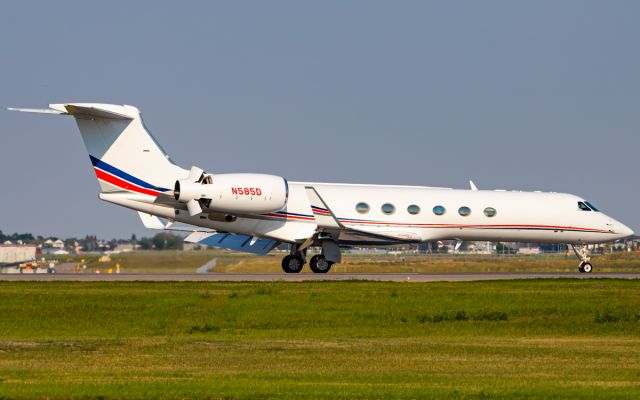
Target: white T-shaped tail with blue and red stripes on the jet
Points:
(124, 155)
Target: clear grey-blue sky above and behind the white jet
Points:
(539, 95)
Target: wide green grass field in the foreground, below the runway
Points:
(524, 339)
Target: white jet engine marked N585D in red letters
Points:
(233, 193)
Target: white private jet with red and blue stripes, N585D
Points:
(256, 212)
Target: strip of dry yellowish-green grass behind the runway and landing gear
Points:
(189, 261)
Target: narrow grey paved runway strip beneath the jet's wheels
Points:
(271, 277)
